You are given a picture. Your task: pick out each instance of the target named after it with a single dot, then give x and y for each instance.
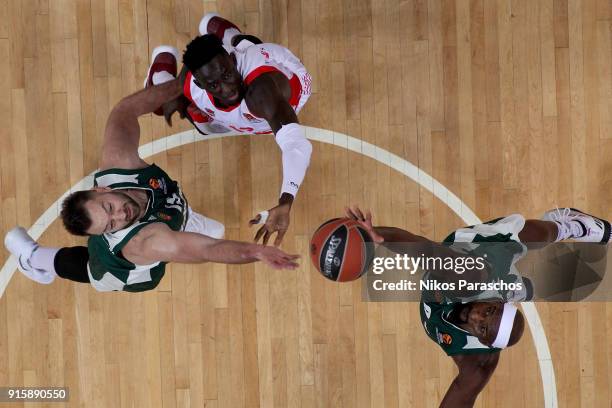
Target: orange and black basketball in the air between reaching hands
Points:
(341, 250)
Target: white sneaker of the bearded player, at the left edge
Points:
(22, 246)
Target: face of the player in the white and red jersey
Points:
(221, 79)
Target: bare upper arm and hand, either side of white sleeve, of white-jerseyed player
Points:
(268, 97)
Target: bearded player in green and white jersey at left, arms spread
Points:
(136, 217)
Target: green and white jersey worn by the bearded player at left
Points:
(108, 269)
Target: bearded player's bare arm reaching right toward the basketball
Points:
(157, 242)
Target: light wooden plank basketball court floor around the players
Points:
(507, 103)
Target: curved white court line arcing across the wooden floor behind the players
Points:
(355, 145)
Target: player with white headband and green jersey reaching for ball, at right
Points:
(474, 333)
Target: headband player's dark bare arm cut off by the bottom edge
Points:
(475, 370)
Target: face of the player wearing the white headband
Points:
(482, 319)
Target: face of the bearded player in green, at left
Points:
(111, 211)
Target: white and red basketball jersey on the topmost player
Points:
(253, 60)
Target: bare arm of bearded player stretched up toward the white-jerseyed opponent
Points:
(122, 134)
